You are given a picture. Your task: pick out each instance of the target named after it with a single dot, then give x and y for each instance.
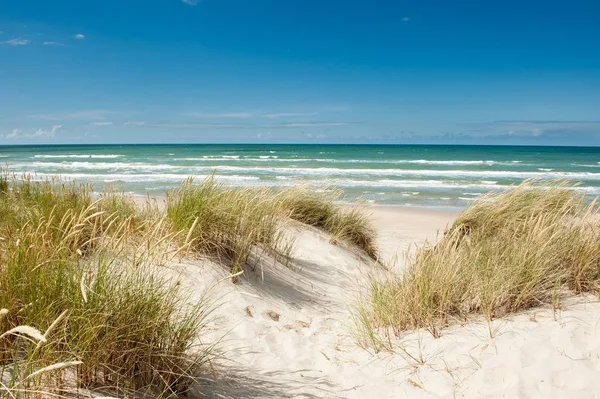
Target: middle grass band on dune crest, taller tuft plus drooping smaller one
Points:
(234, 223)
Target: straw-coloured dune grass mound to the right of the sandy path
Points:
(526, 247)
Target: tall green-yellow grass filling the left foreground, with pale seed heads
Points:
(80, 269)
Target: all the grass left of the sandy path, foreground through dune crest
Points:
(83, 269)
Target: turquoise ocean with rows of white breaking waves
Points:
(408, 175)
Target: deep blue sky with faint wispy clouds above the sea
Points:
(304, 71)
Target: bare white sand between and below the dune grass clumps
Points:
(289, 332)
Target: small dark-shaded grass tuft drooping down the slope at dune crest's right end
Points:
(304, 204)
